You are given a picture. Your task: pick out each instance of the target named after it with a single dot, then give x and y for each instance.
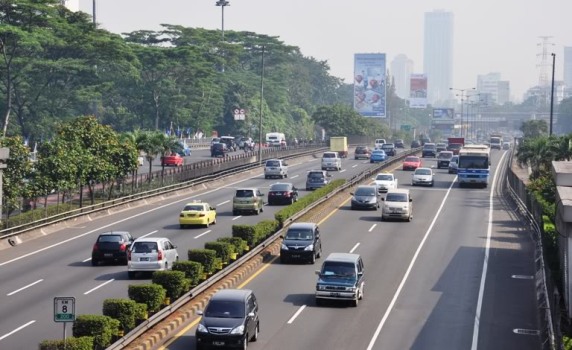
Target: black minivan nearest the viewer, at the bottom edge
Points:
(230, 320)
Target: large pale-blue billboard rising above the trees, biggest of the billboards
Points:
(369, 84)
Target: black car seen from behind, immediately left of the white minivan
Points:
(111, 247)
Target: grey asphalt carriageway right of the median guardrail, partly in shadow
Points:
(456, 277)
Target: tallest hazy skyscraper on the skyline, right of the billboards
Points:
(438, 56)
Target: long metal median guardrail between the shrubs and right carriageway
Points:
(167, 311)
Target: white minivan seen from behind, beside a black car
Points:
(150, 254)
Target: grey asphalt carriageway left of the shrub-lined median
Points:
(35, 272)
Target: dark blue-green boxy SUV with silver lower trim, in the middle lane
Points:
(341, 278)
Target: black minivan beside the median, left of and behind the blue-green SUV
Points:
(301, 242)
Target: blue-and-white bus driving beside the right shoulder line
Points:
(474, 165)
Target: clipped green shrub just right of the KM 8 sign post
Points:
(101, 328)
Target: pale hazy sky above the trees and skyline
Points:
(490, 35)
